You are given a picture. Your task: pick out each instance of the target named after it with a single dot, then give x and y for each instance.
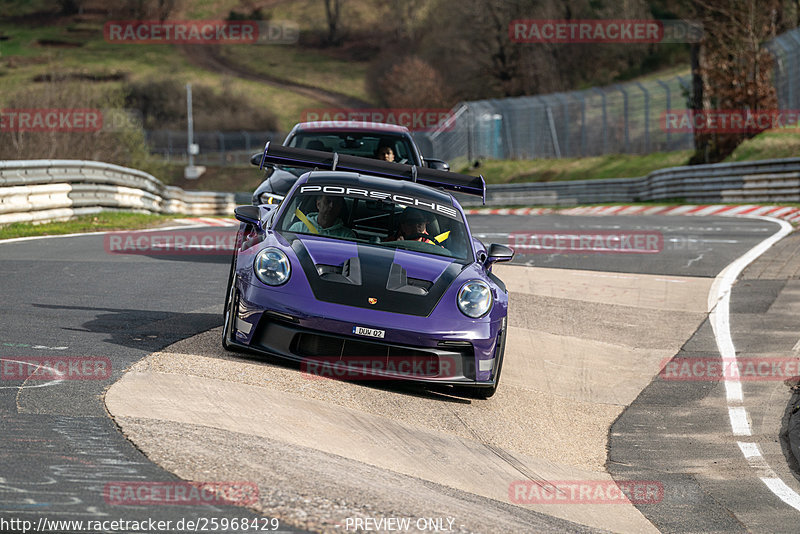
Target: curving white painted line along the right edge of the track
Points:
(719, 299)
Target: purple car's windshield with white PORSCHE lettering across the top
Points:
(381, 218)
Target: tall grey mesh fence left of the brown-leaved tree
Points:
(623, 118)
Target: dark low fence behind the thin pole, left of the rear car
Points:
(216, 148)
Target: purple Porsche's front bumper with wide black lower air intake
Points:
(325, 345)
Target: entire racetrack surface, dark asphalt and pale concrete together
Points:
(582, 398)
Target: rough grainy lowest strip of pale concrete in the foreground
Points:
(293, 480)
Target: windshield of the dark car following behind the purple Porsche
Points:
(366, 145)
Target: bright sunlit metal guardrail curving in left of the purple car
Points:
(48, 190)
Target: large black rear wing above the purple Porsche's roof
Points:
(333, 161)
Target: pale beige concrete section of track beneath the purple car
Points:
(582, 346)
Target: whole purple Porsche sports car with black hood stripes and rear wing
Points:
(369, 268)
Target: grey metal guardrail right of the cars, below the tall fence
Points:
(776, 180)
